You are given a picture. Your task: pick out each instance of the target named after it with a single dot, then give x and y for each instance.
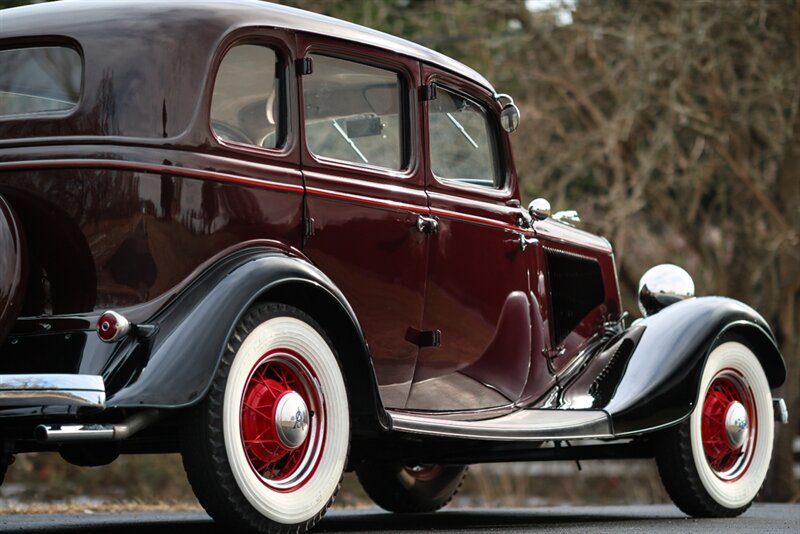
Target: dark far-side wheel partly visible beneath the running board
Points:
(403, 489)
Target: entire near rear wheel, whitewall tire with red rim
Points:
(266, 449)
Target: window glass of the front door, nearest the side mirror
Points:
(463, 144)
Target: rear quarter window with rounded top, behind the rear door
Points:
(247, 99)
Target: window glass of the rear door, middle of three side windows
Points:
(353, 112)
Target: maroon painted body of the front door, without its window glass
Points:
(476, 291)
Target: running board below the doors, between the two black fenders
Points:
(523, 425)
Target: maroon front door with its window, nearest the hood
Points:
(478, 301)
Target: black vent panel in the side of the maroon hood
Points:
(576, 288)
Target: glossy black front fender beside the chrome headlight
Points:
(660, 383)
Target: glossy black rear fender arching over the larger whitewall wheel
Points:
(192, 332)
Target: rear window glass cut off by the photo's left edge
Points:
(42, 79)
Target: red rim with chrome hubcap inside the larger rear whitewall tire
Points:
(282, 427)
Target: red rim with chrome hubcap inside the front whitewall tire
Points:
(729, 425)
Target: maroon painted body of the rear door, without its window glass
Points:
(366, 238)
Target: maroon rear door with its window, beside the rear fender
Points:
(365, 195)
